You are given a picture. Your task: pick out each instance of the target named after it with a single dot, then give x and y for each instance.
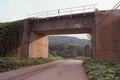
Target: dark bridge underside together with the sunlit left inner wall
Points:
(39, 41)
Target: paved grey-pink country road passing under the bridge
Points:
(57, 70)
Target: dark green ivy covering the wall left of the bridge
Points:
(10, 37)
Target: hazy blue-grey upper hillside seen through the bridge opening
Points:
(68, 40)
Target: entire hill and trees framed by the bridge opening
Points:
(60, 44)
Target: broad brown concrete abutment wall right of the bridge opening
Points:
(107, 37)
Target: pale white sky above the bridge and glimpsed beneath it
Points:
(11, 10)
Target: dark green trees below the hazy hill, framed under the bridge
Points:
(68, 50)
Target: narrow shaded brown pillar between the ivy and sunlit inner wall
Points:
(23, 49)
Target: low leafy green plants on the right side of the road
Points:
(101, 69)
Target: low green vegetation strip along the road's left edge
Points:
(10, 63)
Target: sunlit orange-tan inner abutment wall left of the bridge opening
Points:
(38, 46)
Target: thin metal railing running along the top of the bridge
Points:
(66, 11)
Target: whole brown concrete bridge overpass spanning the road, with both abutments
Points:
(36, 31)
